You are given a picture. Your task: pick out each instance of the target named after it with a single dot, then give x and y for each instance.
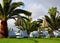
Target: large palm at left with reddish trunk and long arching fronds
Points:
(8, 10)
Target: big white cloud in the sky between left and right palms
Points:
(37, 10)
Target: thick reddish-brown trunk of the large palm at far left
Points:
(4, 29)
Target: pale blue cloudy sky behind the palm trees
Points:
(39, 8)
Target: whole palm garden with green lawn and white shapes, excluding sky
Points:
(42, 30)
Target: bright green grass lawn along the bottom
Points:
(30, 40)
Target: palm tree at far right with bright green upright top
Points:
(53, 20)
